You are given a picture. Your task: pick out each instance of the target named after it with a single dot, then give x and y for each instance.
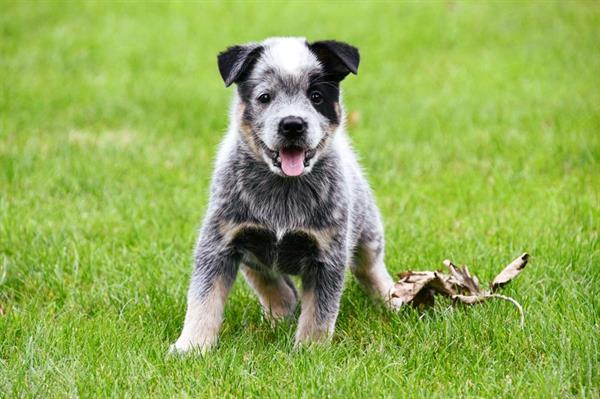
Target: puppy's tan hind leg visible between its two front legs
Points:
(276, 294)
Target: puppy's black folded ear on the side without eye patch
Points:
(235, 62)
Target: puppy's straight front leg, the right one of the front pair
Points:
(322, 289)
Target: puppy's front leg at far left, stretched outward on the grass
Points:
(214, 273)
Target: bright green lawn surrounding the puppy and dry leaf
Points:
(480, 133)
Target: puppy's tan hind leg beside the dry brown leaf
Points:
(369, 269)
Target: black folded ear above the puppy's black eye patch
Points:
(338, 58)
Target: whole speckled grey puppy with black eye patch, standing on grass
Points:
(288, 196)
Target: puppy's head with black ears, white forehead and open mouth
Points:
(289, 97)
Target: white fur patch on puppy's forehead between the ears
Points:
(290, 54)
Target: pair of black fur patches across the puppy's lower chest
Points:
(284, 251)
